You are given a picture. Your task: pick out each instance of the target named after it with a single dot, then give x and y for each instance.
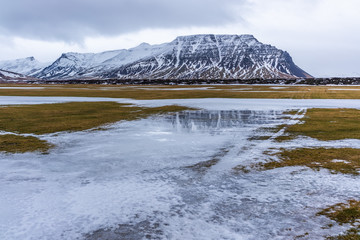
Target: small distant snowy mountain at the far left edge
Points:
(26, 66)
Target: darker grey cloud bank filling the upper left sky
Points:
(72, 20)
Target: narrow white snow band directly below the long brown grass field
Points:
(205, 103)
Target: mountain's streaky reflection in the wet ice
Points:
(215, 120)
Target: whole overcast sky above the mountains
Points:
(322, 36)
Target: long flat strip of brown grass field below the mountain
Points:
(168, 92)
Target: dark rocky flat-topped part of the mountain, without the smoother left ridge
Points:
(236, 62)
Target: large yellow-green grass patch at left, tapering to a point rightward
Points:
(73, 116)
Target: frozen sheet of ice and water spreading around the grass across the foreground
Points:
(152, 178)
